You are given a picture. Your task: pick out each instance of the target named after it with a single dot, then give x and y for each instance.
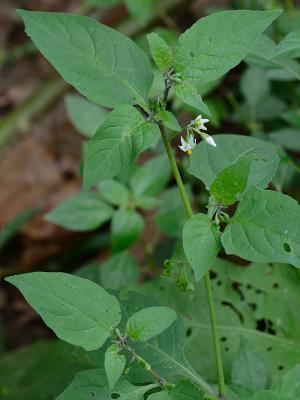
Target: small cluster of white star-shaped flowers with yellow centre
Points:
(195, 126)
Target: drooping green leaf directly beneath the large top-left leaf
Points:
(117, 143)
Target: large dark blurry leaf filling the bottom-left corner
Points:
(41, 371)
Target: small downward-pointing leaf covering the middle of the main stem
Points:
(201, 243)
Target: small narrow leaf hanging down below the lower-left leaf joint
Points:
(114, 364)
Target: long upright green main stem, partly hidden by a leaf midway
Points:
(212, 313)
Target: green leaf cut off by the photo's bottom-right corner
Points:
(288, 387)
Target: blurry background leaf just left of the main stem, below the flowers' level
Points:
(151, 177)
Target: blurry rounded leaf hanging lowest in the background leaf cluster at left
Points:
(126, 227)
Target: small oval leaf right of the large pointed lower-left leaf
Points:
(149, 322)
